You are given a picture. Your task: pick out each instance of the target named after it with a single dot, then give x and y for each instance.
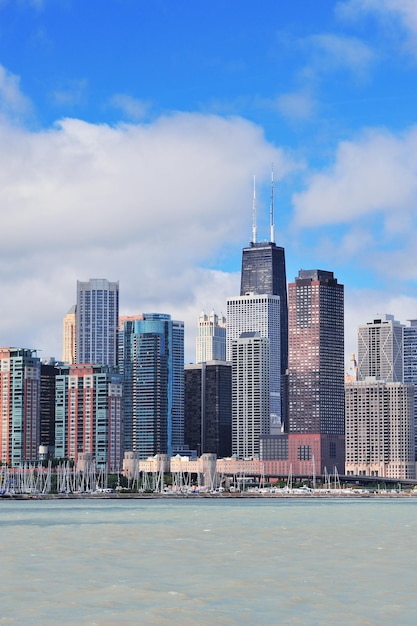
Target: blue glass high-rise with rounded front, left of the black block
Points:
(154, 385)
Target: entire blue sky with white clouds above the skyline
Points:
(131, 132)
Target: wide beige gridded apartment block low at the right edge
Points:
(380, 429)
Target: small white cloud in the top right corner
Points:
(391, 13)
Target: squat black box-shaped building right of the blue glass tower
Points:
(208, 407)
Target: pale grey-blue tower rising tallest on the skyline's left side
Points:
(97, 320)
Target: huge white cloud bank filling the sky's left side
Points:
(148, 205)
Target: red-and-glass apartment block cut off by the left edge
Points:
(20, 374)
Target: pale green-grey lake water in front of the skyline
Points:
(211, 561)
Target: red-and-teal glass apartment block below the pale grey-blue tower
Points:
(88, 413)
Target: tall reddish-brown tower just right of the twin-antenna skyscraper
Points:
(315, 367)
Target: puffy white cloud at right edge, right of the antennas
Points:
(377, 173)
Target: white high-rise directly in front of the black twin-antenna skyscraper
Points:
(260, 313)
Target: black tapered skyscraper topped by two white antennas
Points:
(263, 272)
